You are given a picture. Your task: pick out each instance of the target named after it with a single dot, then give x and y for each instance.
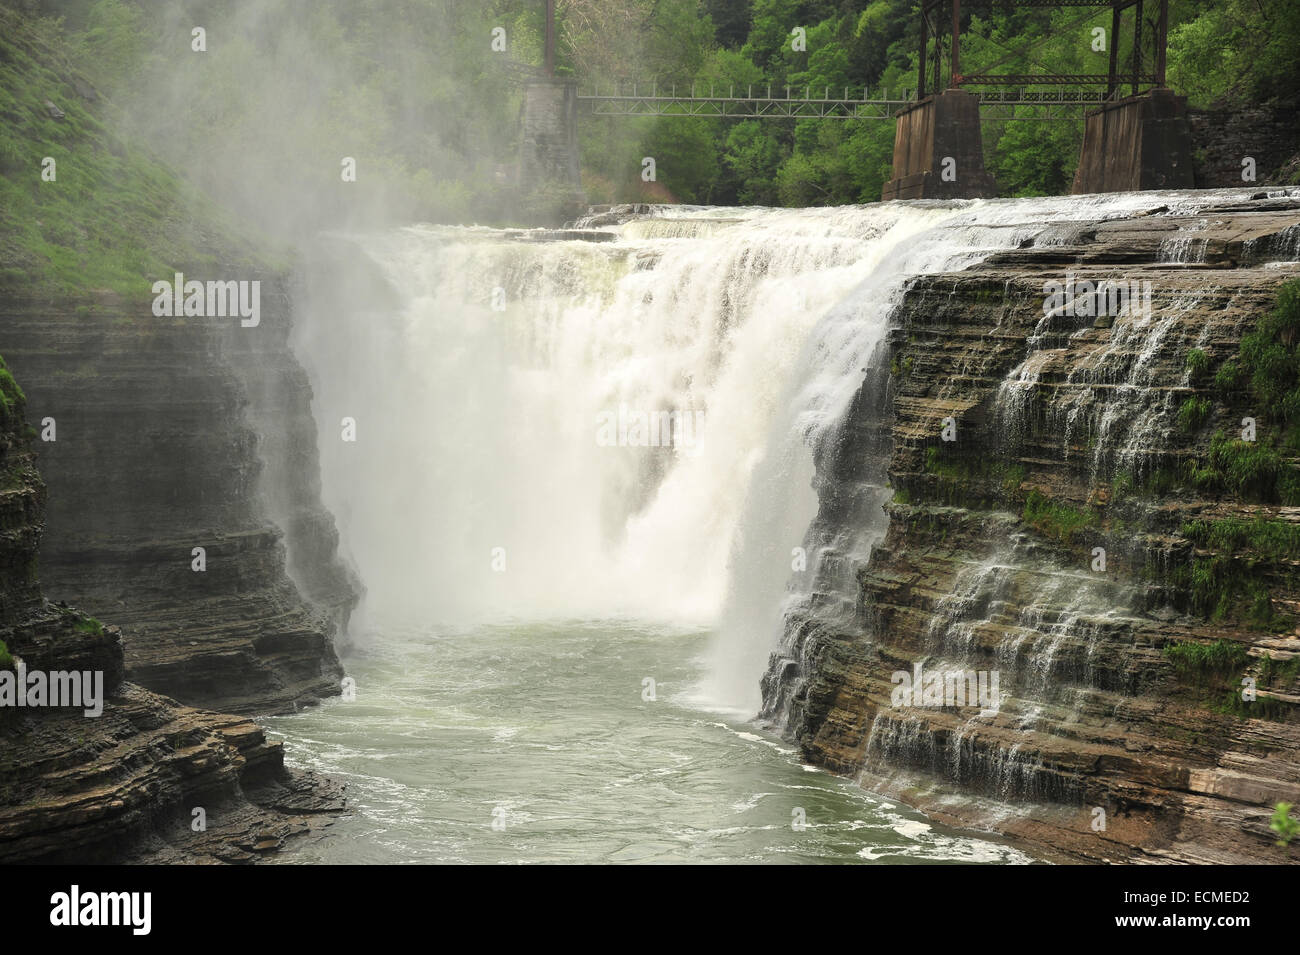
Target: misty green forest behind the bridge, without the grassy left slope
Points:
(417, 90)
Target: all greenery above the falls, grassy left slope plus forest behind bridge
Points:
(414, 92)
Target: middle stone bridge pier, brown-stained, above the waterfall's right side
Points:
(939, 151)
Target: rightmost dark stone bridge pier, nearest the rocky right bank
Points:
(1137, 144)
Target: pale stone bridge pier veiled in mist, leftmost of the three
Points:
(549, 177)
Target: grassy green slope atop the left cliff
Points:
(114, 218)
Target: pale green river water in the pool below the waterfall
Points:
(535, 744)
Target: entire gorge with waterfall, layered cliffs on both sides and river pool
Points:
(882, 450)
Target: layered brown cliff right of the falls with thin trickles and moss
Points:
(1097, 535)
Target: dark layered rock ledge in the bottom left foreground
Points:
(124, 784)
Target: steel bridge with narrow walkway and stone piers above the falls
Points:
(1134, 138)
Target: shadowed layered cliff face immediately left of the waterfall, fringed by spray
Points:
(155, 453)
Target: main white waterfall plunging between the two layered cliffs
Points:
(482, 484)
